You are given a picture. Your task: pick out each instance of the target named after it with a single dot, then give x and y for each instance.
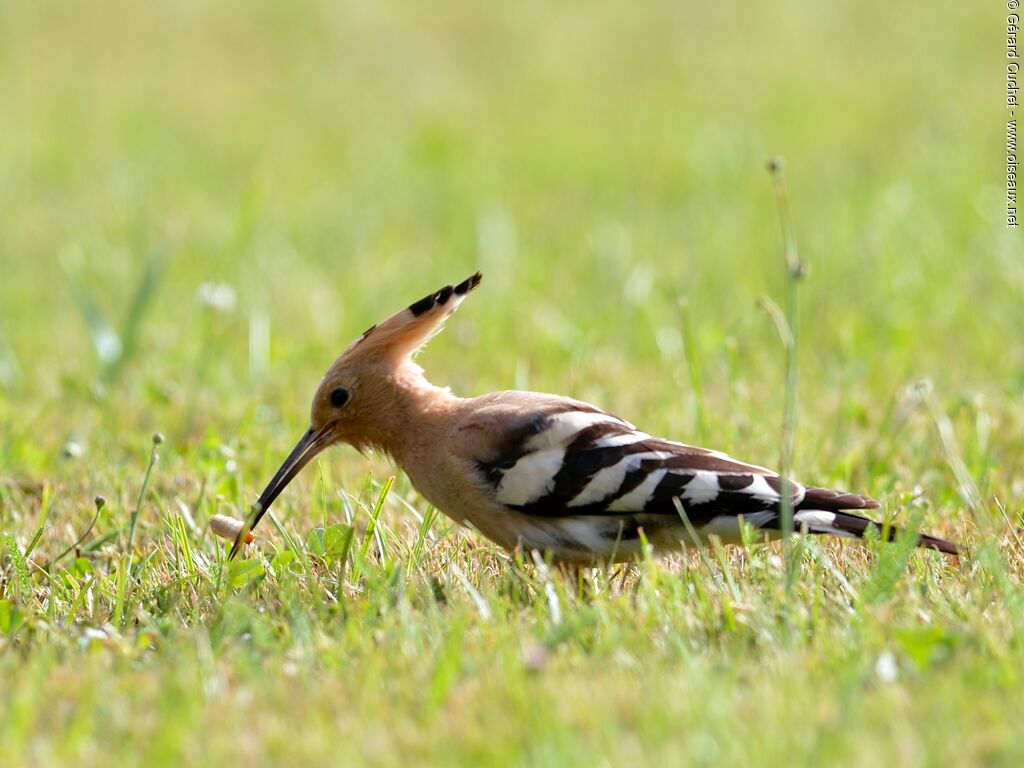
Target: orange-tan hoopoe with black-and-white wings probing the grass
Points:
(540, 472)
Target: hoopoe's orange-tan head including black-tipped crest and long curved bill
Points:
(361, 386)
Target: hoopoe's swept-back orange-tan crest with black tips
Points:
(405, 333)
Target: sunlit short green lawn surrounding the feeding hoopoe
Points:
(605, 166)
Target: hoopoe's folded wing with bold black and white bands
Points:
(554, 457)
